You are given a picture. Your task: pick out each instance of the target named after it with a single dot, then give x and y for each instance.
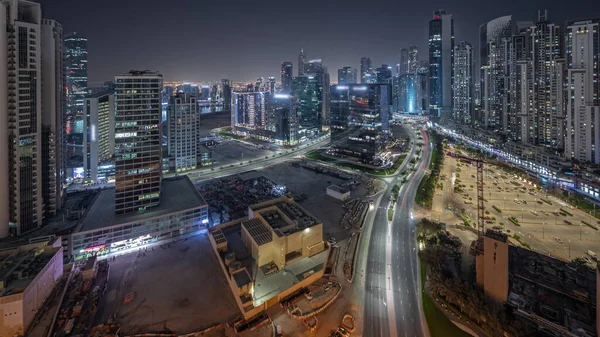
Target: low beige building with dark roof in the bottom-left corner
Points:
(28, 275)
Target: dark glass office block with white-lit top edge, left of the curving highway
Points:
(360, 116)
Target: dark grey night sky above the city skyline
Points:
(206, 40)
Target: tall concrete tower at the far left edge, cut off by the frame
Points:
(21, 201)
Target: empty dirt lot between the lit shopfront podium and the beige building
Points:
(177, 287)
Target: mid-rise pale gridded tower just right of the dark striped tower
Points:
(183, 119)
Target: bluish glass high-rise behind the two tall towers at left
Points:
(76, 72)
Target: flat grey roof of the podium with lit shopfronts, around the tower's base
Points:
(177, 194)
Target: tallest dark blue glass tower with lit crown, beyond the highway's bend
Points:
(441, 60)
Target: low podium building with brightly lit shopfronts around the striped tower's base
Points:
(181, 210)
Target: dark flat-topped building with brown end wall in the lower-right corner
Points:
(559, 298)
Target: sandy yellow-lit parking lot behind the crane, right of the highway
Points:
(517, 207)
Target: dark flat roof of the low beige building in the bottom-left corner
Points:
(20, 266)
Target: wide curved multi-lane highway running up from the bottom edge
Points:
(392, 305)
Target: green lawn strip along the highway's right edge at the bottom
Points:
(439, 324)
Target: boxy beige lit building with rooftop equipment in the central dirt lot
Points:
(281, 251)
